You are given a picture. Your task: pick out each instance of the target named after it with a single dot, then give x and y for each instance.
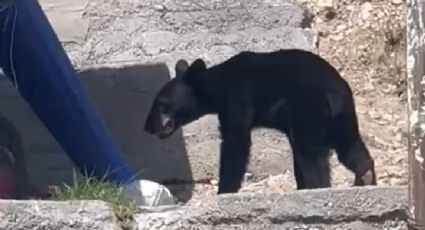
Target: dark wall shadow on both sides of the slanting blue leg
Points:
(123, 95)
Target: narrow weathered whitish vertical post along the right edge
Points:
(416, 105)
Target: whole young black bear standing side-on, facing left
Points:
(293, 91)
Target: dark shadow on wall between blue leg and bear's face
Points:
(124, 96)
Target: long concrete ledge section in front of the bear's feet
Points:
(369, 208)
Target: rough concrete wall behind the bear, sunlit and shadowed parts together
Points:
(126, 32)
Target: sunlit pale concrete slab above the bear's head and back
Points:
(158, 31)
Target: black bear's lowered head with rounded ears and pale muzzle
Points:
(178, 102)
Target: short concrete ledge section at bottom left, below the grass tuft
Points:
(49, 215)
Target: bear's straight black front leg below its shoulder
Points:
(235, 128)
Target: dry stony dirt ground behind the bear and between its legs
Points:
(365, 41)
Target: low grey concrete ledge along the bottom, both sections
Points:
(366, 208)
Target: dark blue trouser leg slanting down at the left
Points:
(31, 56)
